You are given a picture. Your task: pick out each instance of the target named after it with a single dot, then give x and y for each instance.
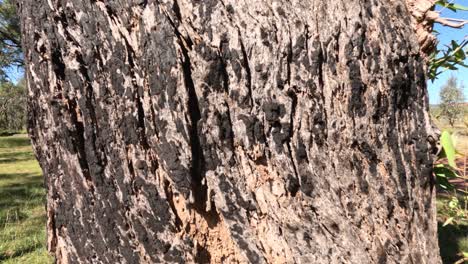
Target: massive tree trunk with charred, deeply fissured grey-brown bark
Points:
(231, 131)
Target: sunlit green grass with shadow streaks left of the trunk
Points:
(22, 204)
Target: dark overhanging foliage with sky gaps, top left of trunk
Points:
(10, 38)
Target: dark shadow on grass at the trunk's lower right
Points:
(448, 241)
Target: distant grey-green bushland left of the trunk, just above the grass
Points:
(12, 106)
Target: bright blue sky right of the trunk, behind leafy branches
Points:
(446, 35)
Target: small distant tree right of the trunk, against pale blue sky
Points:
(451, 97)
